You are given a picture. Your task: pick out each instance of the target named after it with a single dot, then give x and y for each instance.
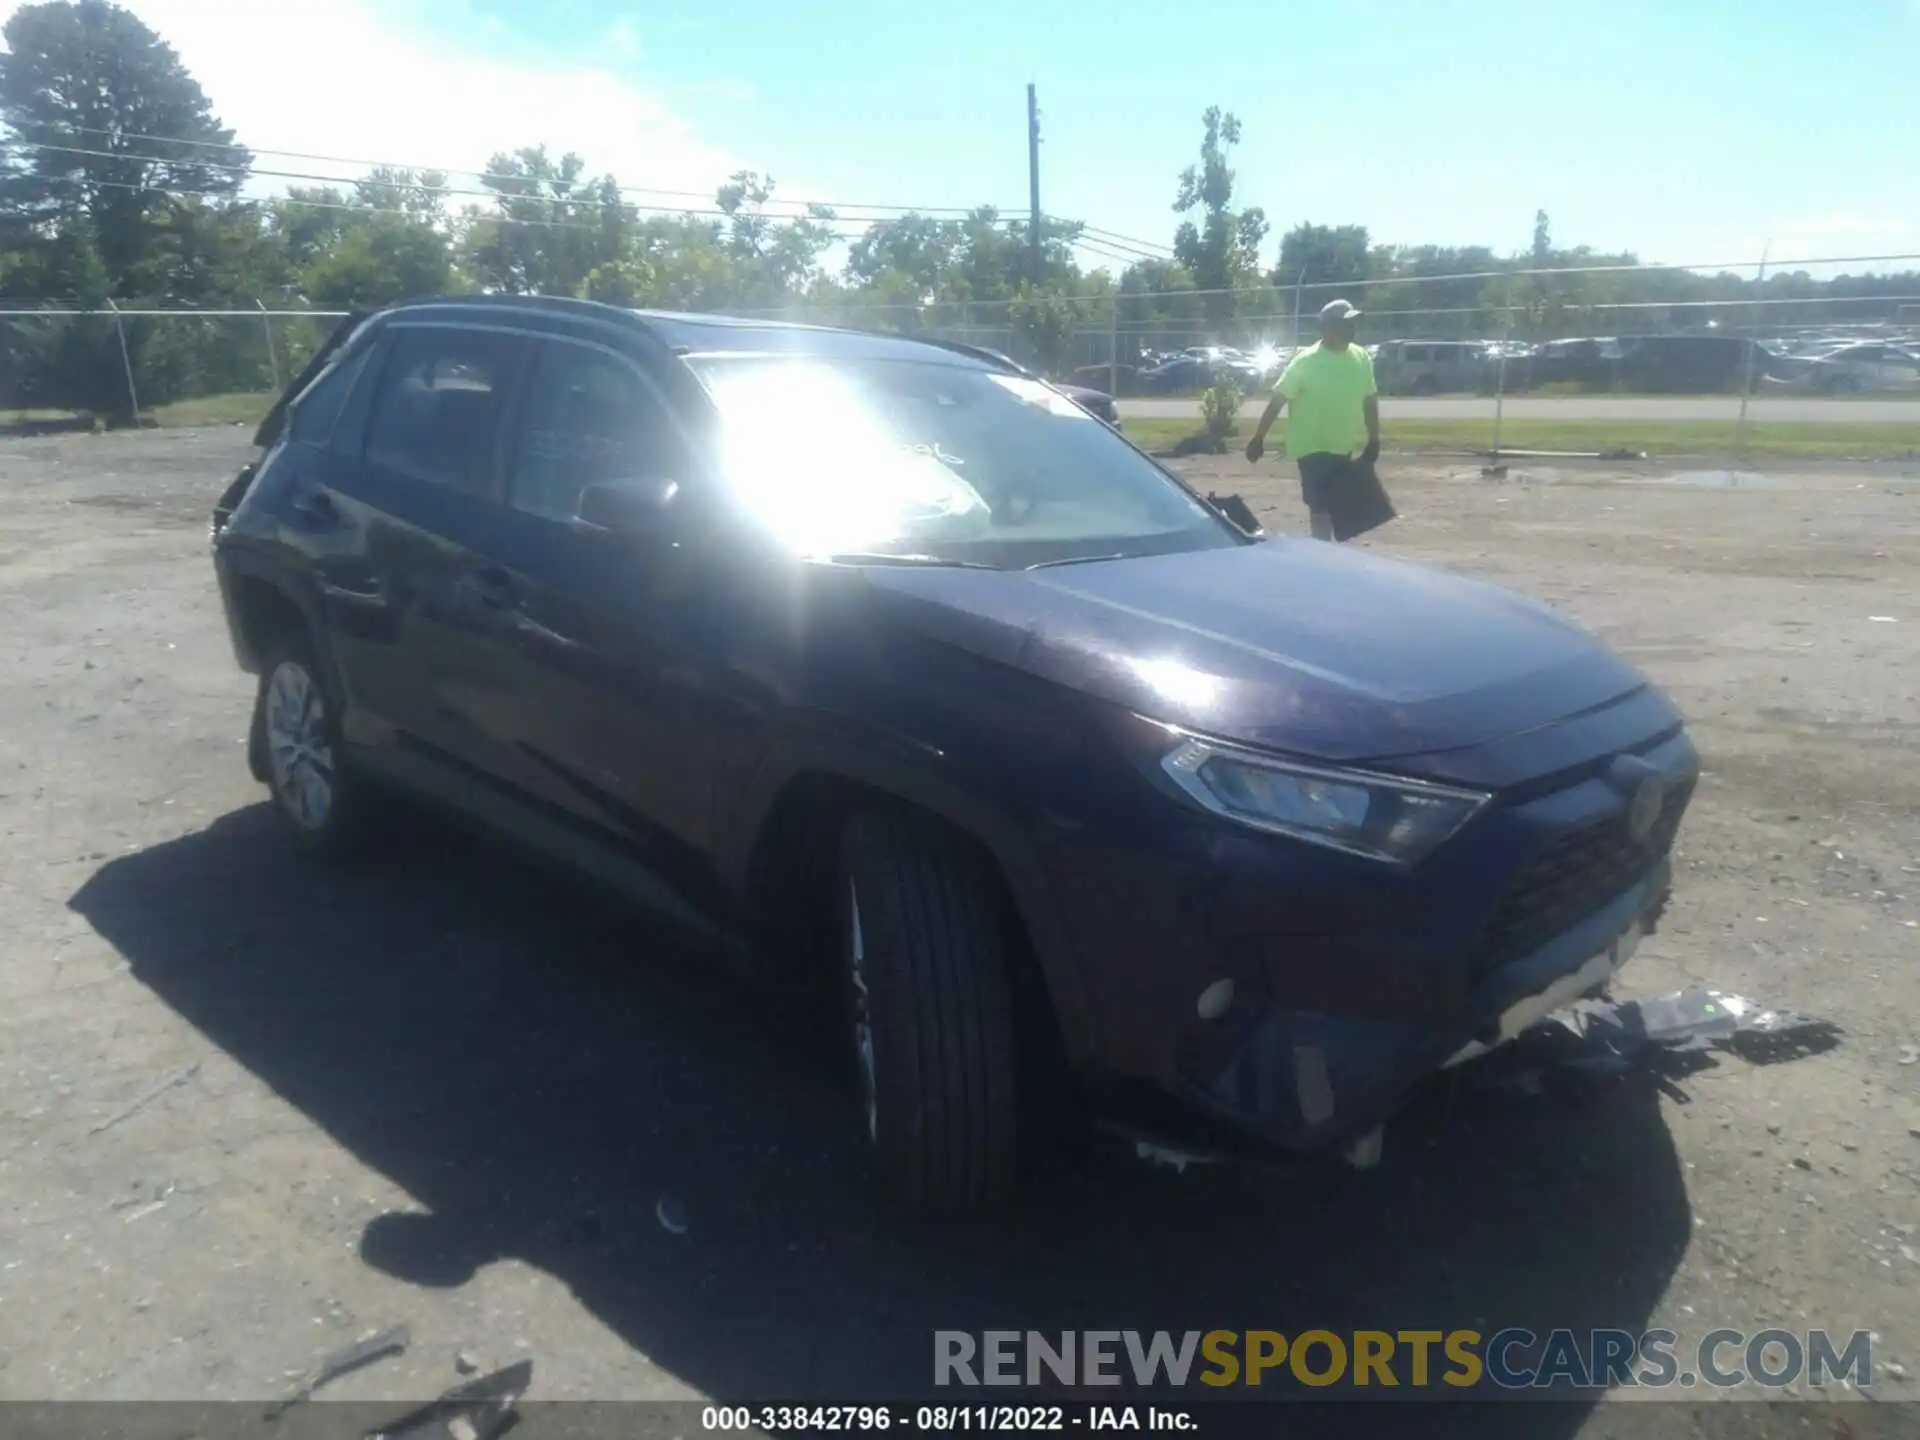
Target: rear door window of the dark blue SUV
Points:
(437, 416)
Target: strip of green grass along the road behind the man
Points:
(1765, 439)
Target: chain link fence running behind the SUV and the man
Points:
(1497, 335)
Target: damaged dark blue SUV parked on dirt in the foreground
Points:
(915, 688)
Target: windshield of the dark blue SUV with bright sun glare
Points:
(932, 460)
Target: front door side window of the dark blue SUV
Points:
(590, 420)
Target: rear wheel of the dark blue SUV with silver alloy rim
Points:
(297, 742)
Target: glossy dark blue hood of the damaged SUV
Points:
(1295, 646)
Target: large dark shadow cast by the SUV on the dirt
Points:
(542, 1067)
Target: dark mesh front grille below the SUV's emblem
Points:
(1575, 876)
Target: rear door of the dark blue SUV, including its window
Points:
(423, 491)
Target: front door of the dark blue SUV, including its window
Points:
(612, 654)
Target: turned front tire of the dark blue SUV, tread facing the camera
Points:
(932, 1017)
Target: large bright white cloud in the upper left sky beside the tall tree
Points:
(347, 82)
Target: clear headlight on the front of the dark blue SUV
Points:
(1378, 817)
